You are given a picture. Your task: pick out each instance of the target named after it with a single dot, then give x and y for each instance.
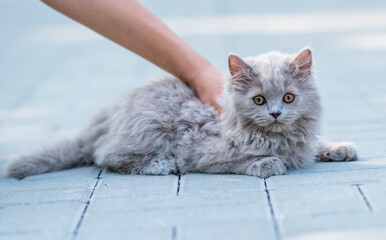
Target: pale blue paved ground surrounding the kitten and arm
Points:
(55, 73)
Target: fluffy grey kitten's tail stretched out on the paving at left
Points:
(64, 155)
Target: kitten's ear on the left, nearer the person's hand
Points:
(241, 72)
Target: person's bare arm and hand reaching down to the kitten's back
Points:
(130, 24)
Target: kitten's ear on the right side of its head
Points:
(301, 65)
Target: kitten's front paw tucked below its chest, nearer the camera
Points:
(266, 167)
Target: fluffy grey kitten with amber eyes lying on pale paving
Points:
(270, 123)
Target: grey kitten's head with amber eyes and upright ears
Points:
(274, 92)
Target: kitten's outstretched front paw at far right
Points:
(345, 151)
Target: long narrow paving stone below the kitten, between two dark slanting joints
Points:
(171, 217)
